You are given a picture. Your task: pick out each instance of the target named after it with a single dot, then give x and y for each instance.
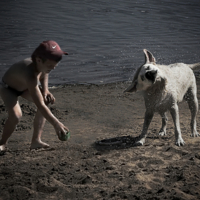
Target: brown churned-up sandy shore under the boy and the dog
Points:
(82, 169)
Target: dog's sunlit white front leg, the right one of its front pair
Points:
(175, 116)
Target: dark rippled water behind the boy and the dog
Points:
(104, 38)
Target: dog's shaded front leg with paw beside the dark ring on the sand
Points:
(147, 120)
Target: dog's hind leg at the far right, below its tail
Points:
(192, 101)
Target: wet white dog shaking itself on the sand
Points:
(164, 86)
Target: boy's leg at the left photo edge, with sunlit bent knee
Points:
(14, 114)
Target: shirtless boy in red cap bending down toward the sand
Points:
(22, 79)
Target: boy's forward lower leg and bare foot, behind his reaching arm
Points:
(38, 124)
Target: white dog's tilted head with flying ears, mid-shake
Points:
(146, 75)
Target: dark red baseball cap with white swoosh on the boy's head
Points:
(48, 50)
